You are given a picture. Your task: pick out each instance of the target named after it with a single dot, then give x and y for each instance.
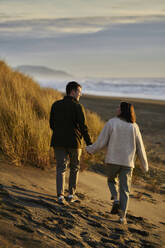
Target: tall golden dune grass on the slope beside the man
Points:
(24, 119)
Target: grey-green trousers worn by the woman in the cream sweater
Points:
(123, 175)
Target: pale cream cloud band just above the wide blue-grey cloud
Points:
(64, 26)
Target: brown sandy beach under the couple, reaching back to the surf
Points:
(30, 215)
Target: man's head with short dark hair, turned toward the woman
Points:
(73, 89)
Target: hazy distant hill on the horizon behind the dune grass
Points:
(42, 72)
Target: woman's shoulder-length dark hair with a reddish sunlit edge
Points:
(127, 112)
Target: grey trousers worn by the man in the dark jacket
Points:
(63, 156)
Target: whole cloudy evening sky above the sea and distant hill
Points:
(86, 38)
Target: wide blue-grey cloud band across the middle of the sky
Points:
(134, 36)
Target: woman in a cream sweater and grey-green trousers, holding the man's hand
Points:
(122, 137)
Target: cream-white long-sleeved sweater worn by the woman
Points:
(123, 140)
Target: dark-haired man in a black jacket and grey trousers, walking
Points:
(68, 122)
